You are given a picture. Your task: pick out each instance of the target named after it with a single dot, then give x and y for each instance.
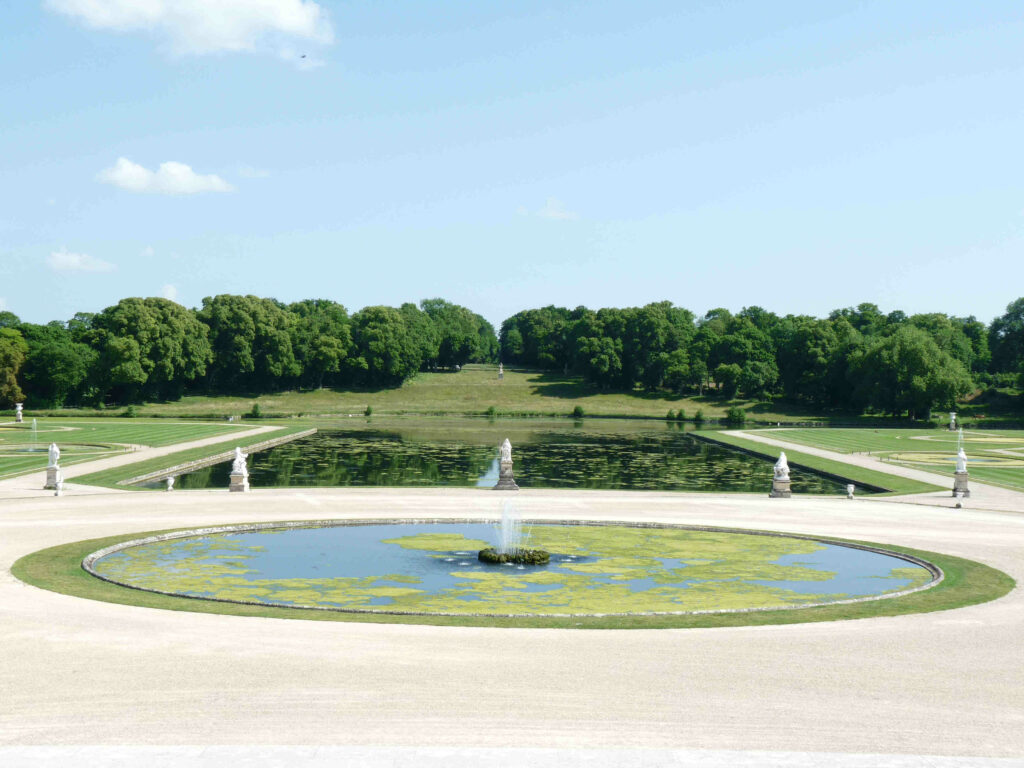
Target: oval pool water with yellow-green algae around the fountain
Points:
(433, 568)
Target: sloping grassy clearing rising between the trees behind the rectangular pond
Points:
(473, 392)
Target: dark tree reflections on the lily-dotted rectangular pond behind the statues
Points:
(570, 458)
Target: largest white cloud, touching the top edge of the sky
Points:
(196, 27)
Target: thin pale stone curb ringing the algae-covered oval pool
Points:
(89, 565)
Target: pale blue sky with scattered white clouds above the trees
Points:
(798, 156)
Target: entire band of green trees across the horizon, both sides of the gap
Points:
(857, 359)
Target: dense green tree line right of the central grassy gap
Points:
(855, 360)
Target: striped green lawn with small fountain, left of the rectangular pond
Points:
(81, 440)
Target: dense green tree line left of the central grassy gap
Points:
(155, 350)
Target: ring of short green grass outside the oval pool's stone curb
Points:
(966, 583)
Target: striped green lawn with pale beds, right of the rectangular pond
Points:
(996, 457)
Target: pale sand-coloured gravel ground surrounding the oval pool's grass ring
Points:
(83, 673)
